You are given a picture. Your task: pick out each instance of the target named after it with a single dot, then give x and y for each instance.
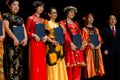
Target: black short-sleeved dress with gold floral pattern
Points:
(13, 54)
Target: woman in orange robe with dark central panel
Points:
(92, 53)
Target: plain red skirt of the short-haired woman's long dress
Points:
(37, 60)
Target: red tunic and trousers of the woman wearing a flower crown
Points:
(73, 59)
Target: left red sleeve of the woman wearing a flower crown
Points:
(67, 36)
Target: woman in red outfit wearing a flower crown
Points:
(74, 58)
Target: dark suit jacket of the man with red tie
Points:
(111, 43)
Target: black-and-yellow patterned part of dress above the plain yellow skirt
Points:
(54, 53)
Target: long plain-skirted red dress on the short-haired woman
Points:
(37, 50)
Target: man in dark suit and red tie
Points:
(112, 49)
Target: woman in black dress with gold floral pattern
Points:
(13, 48)
